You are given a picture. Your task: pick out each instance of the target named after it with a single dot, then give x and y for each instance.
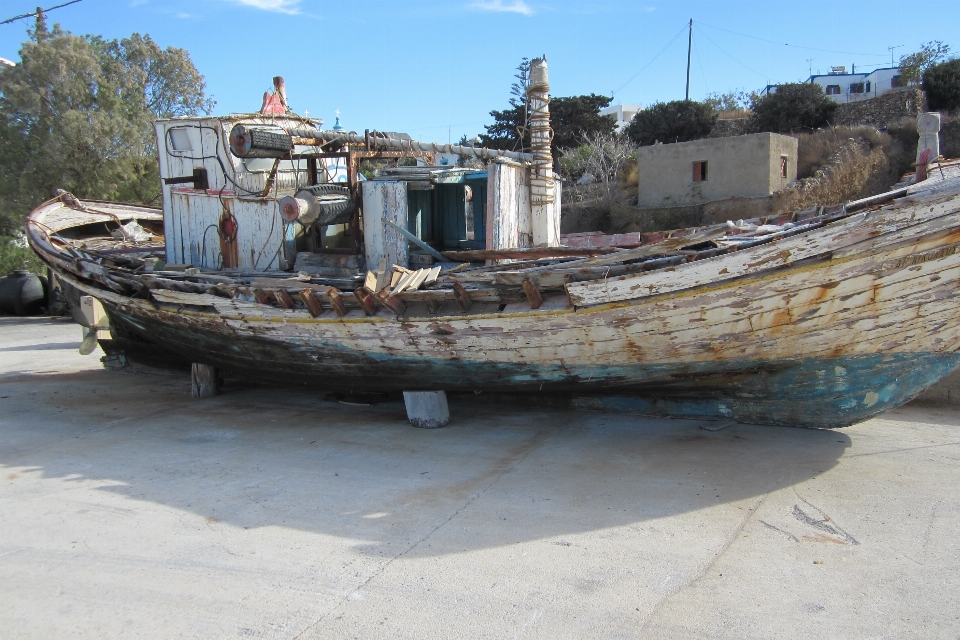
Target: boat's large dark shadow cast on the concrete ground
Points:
(260, 457)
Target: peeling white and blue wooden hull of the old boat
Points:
(818, 328)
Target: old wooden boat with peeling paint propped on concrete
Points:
(817, 318)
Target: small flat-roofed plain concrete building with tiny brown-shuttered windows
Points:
(701, 171)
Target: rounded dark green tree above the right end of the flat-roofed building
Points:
(793, 108)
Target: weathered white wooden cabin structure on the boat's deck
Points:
(255, 193)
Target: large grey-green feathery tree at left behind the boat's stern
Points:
(76, 113)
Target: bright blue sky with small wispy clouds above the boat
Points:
(435, 68)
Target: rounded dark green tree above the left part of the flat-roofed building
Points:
(676, 121)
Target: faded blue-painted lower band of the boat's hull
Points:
(826, 391)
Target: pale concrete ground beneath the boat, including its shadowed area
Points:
(130, 510)
